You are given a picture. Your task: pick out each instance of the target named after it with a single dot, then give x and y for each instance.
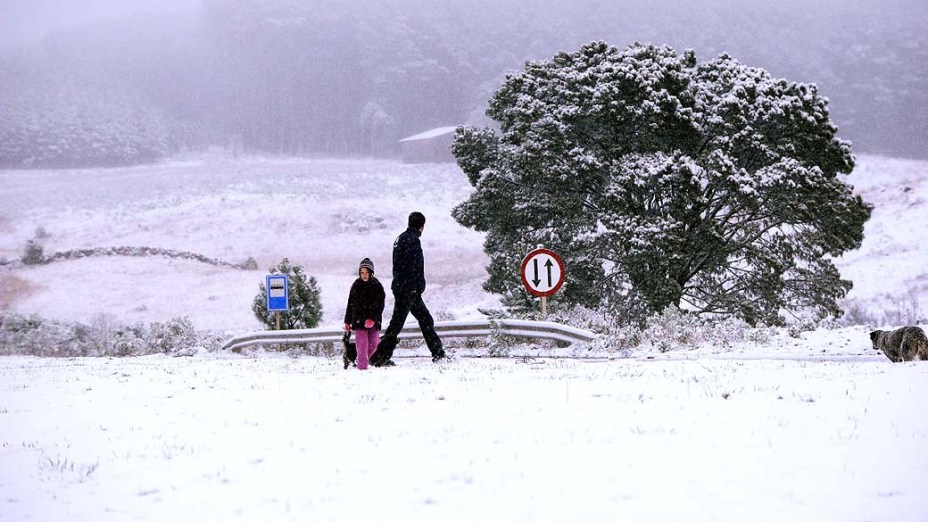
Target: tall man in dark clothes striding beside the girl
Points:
(408, 286)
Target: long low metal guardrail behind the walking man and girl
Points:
(481, 328)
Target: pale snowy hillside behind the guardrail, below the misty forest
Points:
(327, 215)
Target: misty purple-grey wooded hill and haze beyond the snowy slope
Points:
(106, 83)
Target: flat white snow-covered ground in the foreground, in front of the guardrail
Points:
(279, 438)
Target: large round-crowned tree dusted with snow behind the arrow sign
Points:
(663, 181)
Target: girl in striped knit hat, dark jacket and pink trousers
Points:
(364, 312)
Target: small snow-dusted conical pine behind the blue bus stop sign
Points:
(303, 293)
